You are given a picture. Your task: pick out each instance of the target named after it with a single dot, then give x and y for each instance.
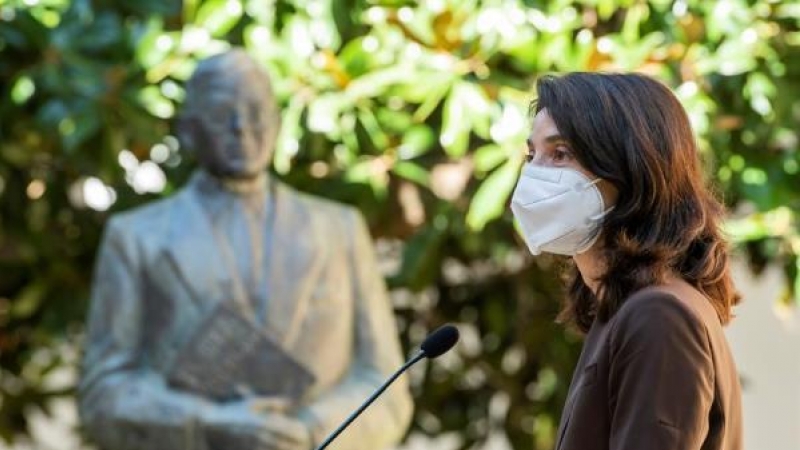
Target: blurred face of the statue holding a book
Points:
(231, 131)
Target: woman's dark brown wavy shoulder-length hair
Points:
(632, 131)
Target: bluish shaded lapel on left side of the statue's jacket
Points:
(193, 253)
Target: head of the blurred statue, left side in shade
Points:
(230, 118)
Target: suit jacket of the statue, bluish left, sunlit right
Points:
(159, 271)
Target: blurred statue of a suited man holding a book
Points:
(238, 313)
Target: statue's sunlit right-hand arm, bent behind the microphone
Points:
(376, 355)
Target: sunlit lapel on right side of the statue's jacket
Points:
(294, 263)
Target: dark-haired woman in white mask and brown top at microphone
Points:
(612, 179)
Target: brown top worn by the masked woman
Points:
(657, 376)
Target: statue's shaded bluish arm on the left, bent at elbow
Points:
(122, 404)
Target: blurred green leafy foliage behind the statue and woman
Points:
(415, 112)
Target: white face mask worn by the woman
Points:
(559, 209)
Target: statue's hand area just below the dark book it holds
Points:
(236, 426)
